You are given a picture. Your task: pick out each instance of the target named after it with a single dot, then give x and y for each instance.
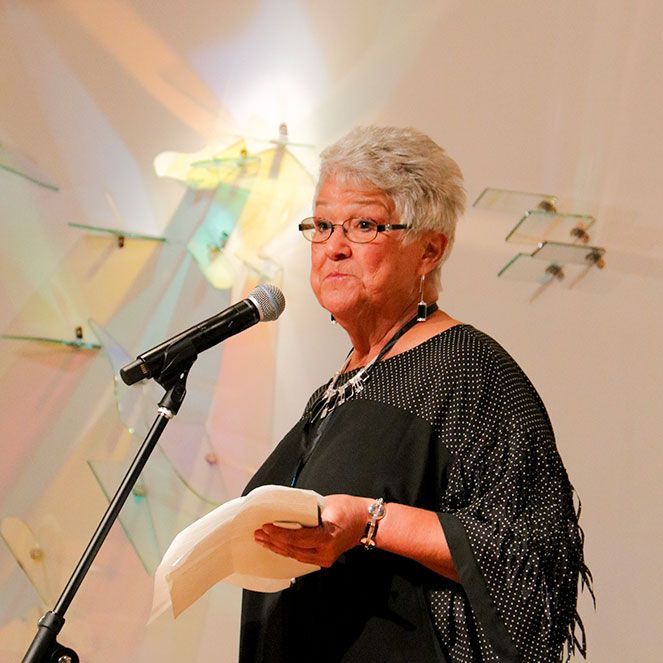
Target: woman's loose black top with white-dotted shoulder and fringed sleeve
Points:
(454, 426)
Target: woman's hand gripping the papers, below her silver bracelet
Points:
(344, 519)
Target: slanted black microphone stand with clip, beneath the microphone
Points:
(45, 648)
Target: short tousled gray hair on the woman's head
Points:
(425, 184)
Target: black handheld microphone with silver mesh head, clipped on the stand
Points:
(265, 302)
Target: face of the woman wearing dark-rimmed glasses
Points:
(380, 278)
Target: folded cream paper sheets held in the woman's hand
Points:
(220, 546)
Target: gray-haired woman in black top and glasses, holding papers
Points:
(449, 532)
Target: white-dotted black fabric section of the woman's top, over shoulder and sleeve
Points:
(507, 488)
